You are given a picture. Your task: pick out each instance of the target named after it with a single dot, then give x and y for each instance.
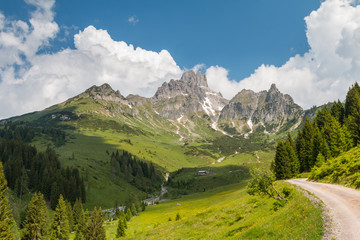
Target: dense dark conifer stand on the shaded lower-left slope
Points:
(28, 170)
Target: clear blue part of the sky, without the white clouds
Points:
(238, 35)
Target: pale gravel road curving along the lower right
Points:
(343, 205)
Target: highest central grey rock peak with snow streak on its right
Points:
(190, 94)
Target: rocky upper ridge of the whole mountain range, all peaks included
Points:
(184, 104)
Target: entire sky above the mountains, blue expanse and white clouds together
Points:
(52, 50)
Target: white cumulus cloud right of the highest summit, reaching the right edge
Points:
(322, 74)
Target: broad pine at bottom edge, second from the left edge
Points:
(36, 221)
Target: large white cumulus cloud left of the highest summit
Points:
(31, 81)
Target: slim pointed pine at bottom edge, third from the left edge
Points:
(60, 228)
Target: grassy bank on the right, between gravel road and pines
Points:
(345, 169)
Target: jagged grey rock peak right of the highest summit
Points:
(270, 109)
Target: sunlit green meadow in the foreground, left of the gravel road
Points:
(227, 213)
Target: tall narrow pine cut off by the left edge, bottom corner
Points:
(6, 217)
